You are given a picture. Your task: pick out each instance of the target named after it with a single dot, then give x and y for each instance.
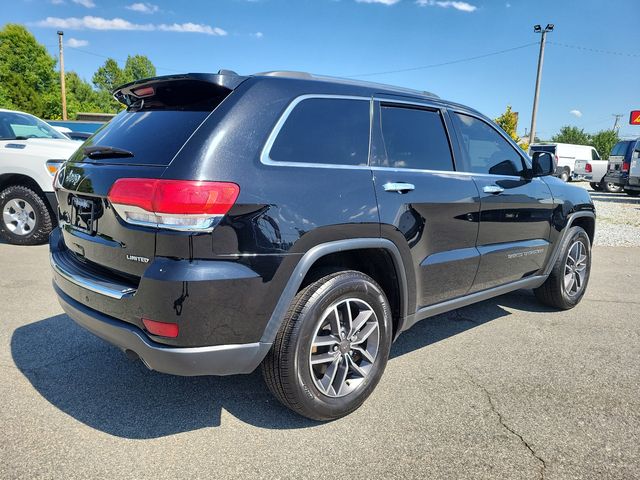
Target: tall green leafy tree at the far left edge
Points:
(27, 72)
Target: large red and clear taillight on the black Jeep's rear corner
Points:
(172, 204)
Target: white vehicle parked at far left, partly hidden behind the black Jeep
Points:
(30, 153)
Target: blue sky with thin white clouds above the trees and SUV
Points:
(581, 86)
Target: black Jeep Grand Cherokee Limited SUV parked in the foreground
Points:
(301, 223)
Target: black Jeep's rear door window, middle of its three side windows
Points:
(414, 138)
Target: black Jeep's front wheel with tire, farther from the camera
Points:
(569, 277)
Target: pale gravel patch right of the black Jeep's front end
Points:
(617, 218)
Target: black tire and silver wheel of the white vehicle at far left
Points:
(26, 219)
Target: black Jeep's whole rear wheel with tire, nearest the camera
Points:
(332, 347)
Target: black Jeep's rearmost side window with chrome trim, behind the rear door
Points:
(325, 131)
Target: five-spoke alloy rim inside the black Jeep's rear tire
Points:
(344, 347)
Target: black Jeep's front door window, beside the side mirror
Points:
(485, 150)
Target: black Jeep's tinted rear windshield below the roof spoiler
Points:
(155, 128)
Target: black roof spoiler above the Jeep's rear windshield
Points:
(130, 93)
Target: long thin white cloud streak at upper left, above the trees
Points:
(99, 23)
